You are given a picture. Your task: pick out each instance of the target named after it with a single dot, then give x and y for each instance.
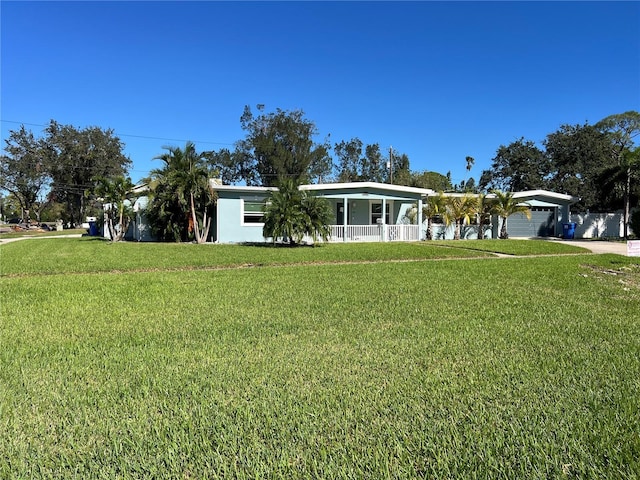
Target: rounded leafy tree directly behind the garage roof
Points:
(518, 166)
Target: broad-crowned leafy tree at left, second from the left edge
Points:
(75, 158)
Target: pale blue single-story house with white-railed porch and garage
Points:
(364, 212)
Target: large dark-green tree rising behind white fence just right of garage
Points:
(579, 155)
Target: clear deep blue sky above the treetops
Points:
(435, 80)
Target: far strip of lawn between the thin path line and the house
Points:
(91, 254)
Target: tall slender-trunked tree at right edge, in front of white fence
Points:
(622, 129)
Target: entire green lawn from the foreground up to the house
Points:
(165, 367)
